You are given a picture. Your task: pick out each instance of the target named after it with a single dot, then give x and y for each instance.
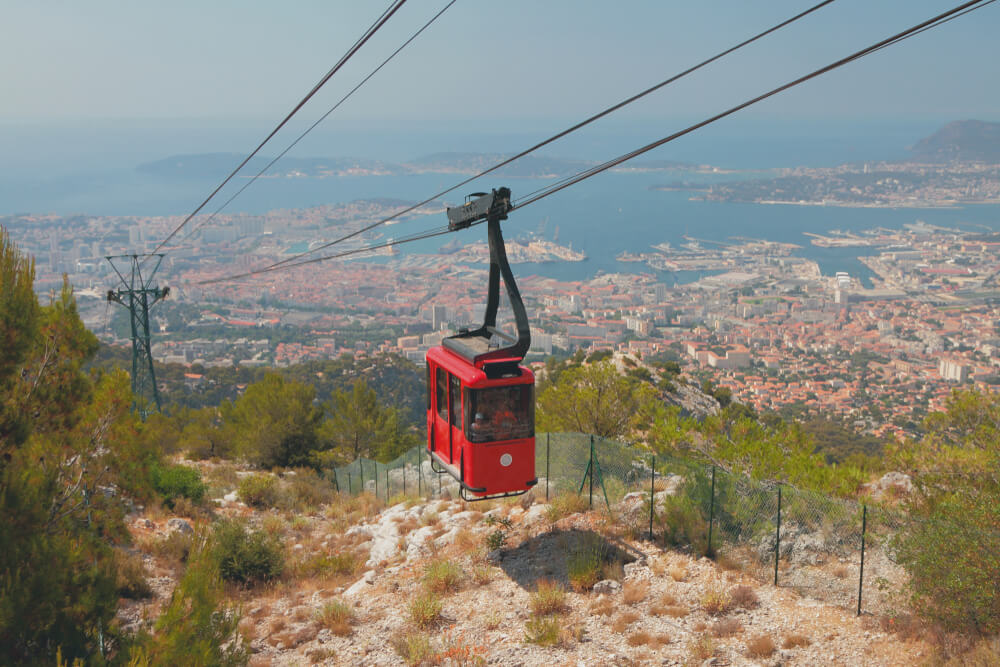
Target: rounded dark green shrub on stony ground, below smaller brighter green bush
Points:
(247, 556)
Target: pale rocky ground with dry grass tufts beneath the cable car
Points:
(447, 582)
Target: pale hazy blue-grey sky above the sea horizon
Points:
(515, 61)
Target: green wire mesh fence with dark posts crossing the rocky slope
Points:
(827, 548)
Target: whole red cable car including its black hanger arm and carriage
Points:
(480, 399)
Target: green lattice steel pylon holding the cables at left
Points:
(138, 294)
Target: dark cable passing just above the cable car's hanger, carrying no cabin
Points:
(559, 135)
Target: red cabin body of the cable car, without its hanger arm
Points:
(481, 429)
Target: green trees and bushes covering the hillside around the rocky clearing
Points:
(73, 458)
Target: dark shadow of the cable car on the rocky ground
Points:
(547, 556)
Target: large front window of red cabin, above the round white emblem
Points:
(500, 413)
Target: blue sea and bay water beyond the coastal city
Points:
(66, 168)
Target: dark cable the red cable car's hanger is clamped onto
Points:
(940, 19)
